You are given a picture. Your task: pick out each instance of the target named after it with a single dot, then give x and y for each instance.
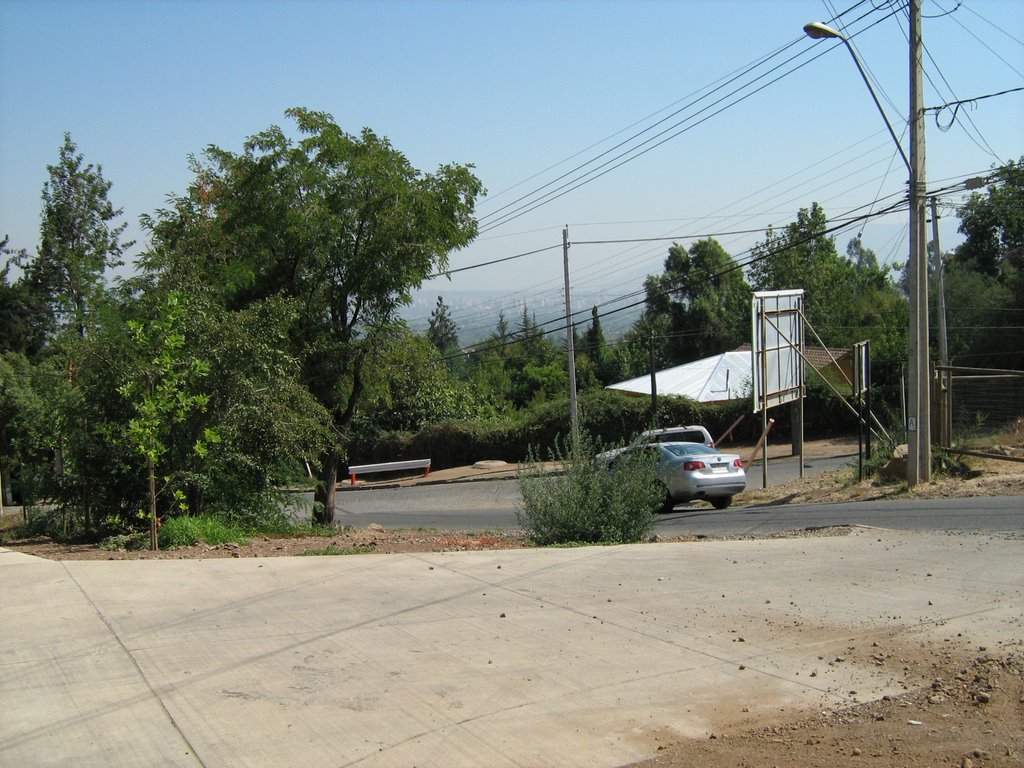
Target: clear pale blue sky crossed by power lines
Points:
(694, 119)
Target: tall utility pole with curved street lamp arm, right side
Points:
(919, 434)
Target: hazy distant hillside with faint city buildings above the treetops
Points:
(476, 313)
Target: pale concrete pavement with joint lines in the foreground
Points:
(520, 658)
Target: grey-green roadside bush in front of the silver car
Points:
(587, 503)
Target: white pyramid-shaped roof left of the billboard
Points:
(724, 377)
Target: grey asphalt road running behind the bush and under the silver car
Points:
(492, 505)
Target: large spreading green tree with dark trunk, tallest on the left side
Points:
(343, 225)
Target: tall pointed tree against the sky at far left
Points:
(78, 239)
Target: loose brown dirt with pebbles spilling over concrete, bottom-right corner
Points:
(961, 710)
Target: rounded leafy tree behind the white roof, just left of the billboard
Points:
(705, 297)
